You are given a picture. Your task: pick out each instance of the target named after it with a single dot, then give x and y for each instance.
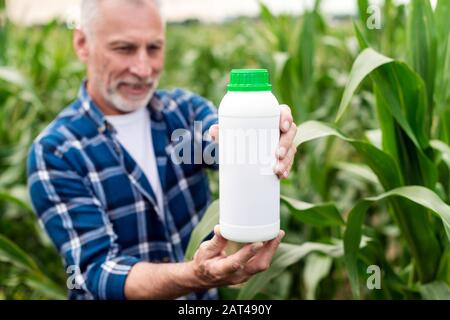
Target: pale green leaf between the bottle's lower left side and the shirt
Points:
(203, 229)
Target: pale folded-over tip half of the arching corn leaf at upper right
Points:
(365, 63)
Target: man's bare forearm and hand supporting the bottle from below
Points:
(210, 268)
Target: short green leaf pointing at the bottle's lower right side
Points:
(318, 215)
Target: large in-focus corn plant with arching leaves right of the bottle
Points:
(405, 161)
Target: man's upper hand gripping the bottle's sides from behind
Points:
(286, 150)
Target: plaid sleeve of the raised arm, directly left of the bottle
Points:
(206, 113)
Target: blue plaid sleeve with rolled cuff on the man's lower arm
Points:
(77, 224)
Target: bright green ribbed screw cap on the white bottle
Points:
(249, 80)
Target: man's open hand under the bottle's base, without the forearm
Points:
(213, 268)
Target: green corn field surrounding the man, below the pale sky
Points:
(366, 208)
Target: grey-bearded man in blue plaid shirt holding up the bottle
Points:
(102, 181)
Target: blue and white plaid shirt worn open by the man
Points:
(98, 207)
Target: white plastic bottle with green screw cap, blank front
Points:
(249, 190)
